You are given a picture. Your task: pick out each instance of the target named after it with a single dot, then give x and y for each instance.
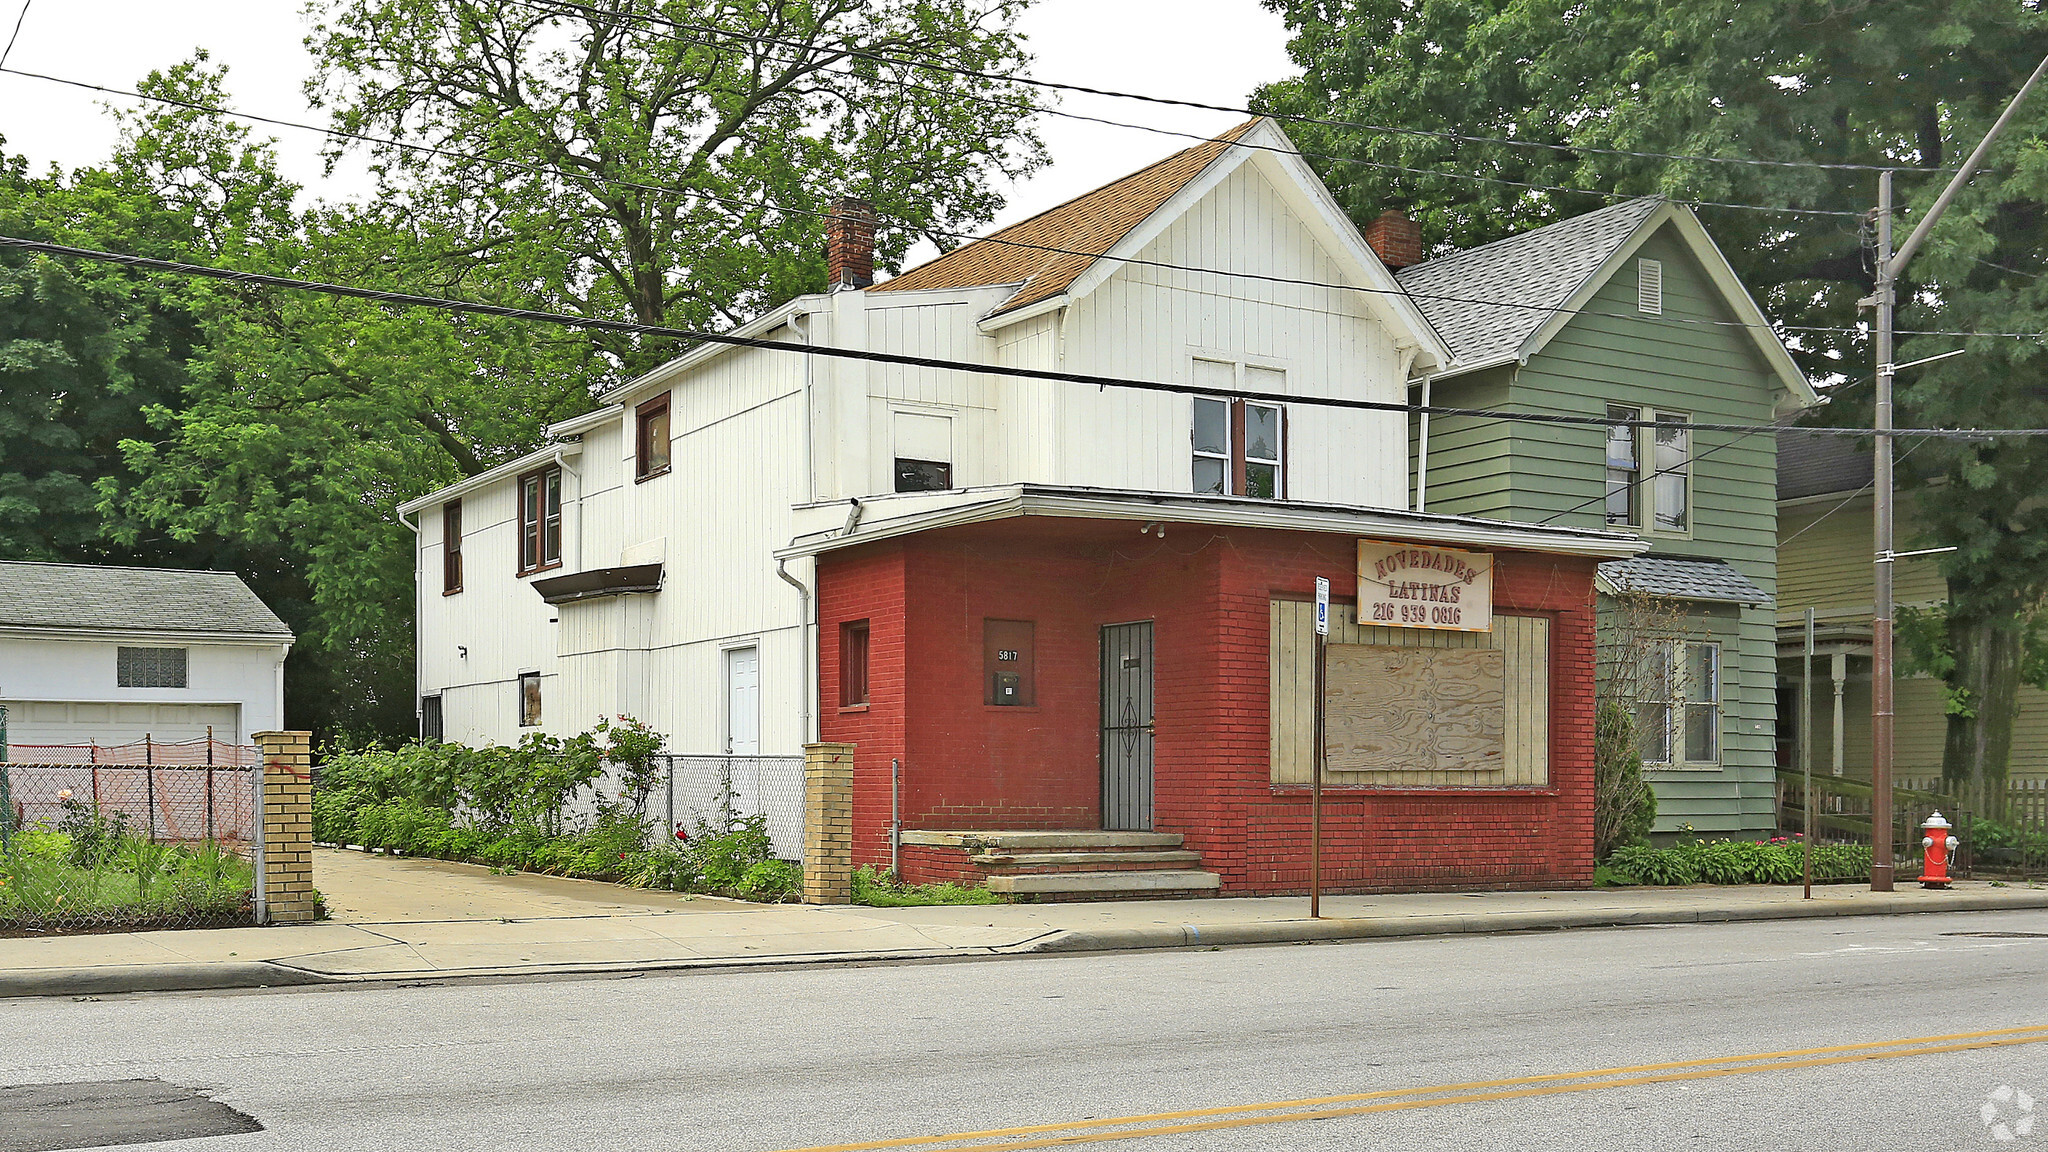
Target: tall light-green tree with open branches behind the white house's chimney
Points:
(638, 165)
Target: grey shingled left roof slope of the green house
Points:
(1541, 268)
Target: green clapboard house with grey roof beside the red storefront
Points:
(1631, 315)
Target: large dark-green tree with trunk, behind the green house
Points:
(1910, 83)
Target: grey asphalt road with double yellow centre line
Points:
(1900, 1036)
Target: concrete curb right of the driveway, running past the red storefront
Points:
(1359, 930)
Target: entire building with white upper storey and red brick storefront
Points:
(1052, 604)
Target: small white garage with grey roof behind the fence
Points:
(105, 657)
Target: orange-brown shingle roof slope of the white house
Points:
(1093, 222)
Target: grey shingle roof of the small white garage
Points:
(132, 600)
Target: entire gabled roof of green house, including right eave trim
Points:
(1543, 278)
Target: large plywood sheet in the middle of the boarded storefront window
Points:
(1437, 710)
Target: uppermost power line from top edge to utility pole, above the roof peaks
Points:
(564, 7)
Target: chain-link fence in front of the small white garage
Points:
(105, 846)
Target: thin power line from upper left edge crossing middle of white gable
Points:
(966, 237)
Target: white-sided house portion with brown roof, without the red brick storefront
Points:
(693, 477)
